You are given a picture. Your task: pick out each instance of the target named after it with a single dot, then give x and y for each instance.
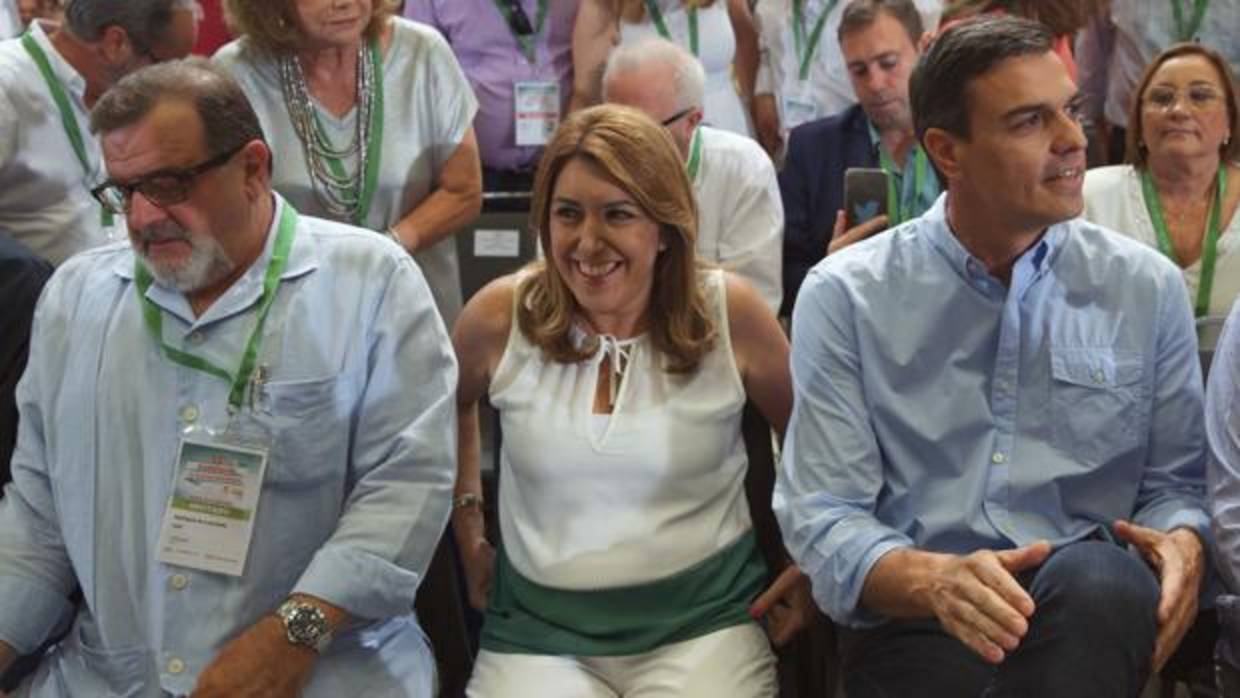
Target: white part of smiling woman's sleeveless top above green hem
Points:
(595, 501)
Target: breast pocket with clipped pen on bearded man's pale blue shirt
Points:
(309, 425)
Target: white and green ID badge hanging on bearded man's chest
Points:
(210, 518)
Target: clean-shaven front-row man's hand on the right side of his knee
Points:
(1179, 559)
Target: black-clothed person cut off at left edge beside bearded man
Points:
(22, 278)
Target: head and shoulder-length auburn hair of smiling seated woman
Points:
(635, 206)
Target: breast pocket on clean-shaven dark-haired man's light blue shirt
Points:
(1097, 402)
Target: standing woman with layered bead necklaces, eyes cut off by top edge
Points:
(370, 118)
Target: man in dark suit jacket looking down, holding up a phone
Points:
(880, 44)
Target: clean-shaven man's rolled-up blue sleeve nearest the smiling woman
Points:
(833, 472)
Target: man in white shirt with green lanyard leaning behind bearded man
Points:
(49, 80)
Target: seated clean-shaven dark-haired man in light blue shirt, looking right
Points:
(990, 402)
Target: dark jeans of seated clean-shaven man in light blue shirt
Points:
(1092, 637)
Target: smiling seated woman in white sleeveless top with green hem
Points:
(621, 368)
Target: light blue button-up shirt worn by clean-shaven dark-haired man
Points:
(938, 409)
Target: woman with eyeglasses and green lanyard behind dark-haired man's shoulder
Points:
(1181, 187)
